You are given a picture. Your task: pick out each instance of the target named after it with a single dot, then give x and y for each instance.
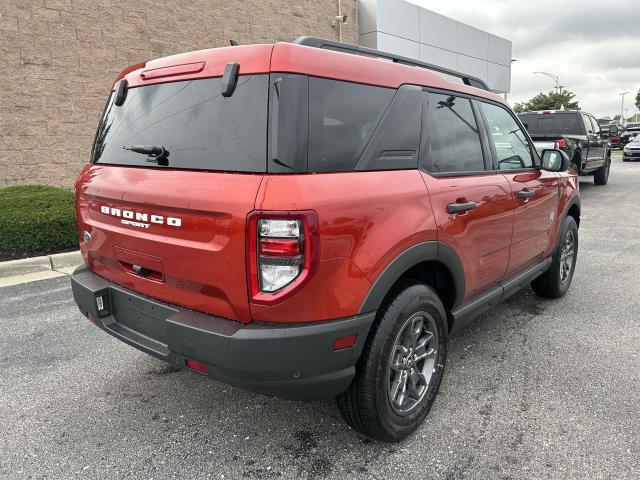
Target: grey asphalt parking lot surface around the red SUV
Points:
(534, 389)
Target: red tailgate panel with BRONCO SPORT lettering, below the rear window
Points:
(178, 236)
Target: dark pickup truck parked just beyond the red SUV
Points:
(575, 132)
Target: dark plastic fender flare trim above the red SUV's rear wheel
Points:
(414, 255)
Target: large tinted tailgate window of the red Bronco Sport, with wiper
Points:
(199, 127)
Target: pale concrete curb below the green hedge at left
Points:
(14, 272)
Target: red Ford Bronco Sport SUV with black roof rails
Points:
(313, 220)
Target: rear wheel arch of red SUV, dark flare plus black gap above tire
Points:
(434, 263)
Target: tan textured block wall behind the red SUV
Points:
(58, 59)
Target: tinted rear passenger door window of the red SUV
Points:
(453, 138)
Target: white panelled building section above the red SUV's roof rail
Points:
(406, 29)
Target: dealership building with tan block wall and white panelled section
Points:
(59, 58)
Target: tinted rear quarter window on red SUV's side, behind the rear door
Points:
(342, 118)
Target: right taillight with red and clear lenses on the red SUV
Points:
(283, 253)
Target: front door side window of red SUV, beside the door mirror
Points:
(511, 144)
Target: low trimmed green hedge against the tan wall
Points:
(35, 220)
